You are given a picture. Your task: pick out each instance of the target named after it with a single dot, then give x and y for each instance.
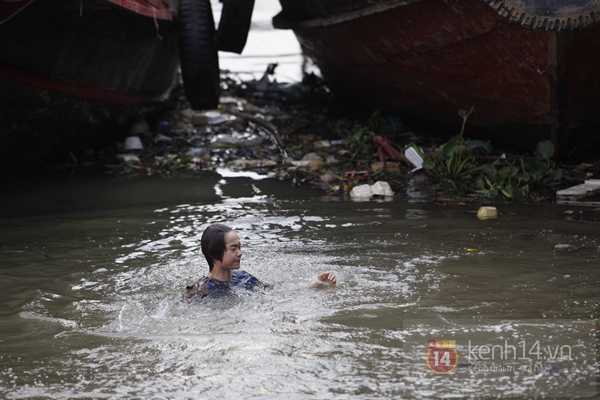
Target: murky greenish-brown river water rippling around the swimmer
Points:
(92, 271)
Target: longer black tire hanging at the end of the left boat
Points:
(198, 54)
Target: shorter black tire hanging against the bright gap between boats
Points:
(234, 25)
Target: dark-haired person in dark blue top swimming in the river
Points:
(223, 251)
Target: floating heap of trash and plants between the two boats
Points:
(283, 131)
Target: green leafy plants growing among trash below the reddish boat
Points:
(464, 167)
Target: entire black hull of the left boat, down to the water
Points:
(72, 78)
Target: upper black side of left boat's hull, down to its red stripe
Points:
(103, 53)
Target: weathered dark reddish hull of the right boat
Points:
(424, 60)
